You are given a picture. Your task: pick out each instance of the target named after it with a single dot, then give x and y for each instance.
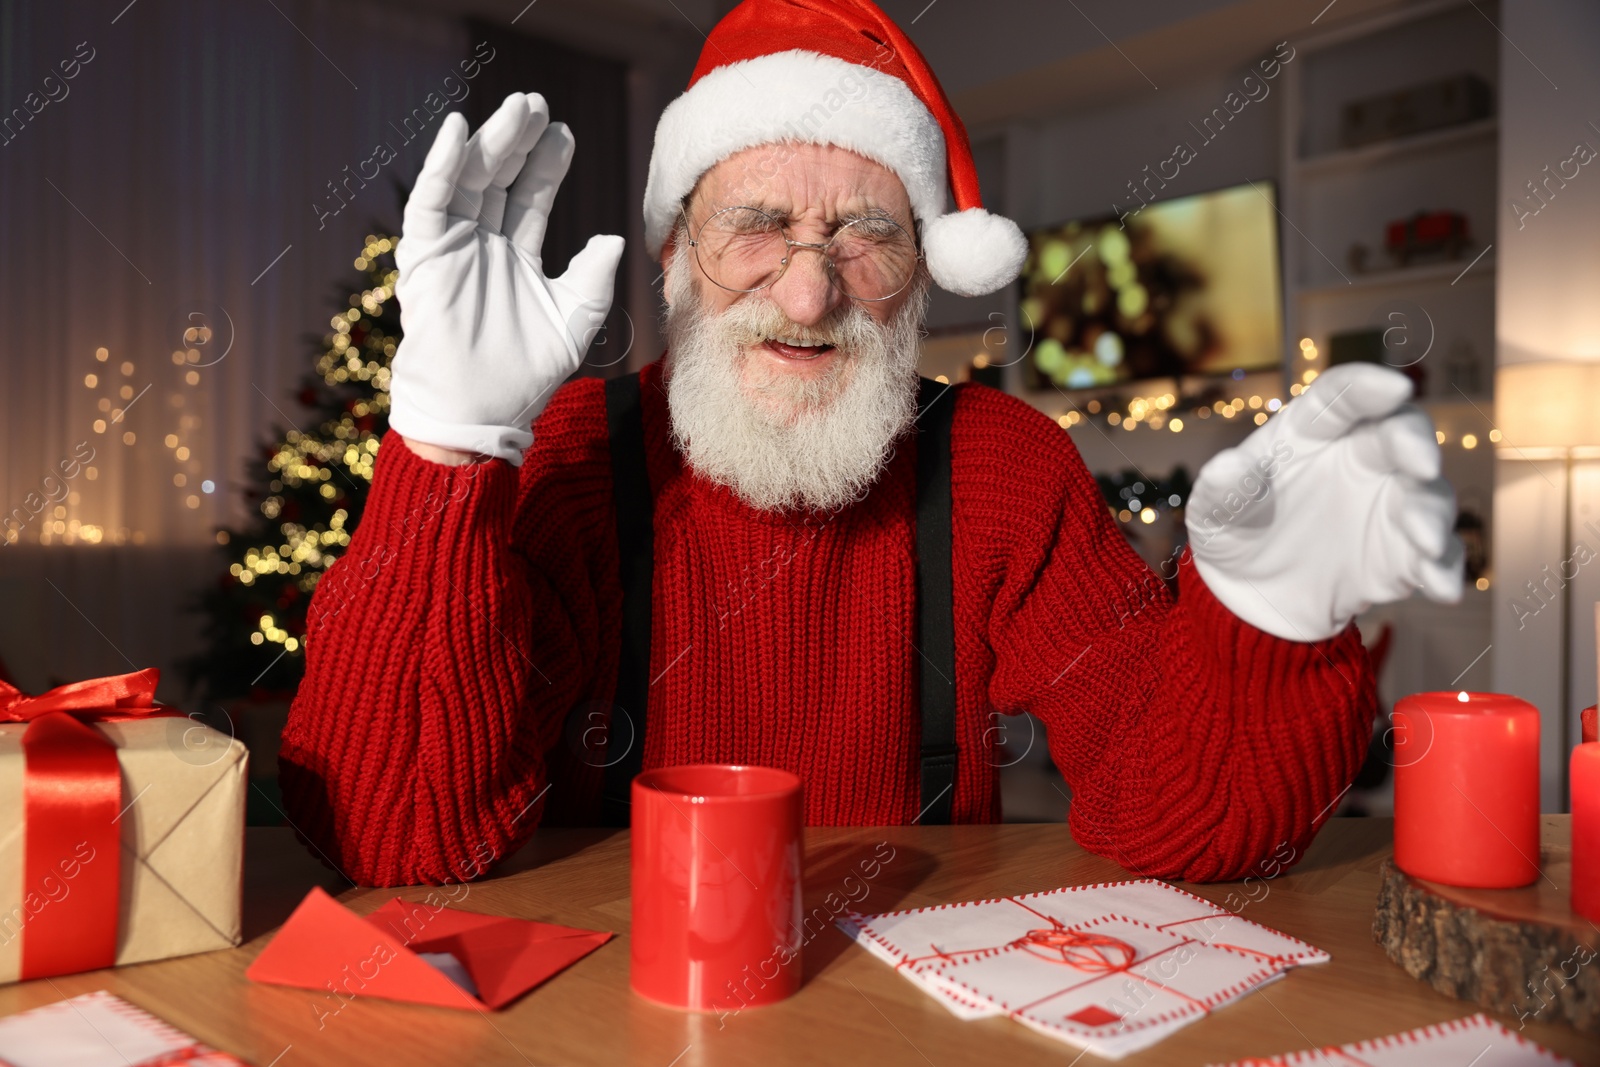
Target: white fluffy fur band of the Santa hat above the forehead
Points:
(801, 97)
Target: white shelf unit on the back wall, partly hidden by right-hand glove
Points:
(1334, 198)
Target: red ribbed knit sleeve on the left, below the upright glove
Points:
(442, 655)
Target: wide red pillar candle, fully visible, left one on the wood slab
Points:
(1468, 789)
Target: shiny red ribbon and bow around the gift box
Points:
(73, 805)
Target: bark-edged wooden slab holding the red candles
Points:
(1522, 953)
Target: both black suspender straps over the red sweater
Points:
(935, 597)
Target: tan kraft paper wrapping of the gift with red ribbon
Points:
(183, 841)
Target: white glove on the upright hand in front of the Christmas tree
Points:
(487, 335)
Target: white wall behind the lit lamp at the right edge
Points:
(1548, 310)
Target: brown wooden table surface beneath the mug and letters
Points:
(852, 1009)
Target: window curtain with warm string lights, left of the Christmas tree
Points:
(188, 175)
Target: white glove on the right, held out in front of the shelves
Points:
(1330, 508)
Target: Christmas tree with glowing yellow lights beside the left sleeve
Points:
(308, 497)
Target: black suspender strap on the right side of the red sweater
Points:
(935, 601)
